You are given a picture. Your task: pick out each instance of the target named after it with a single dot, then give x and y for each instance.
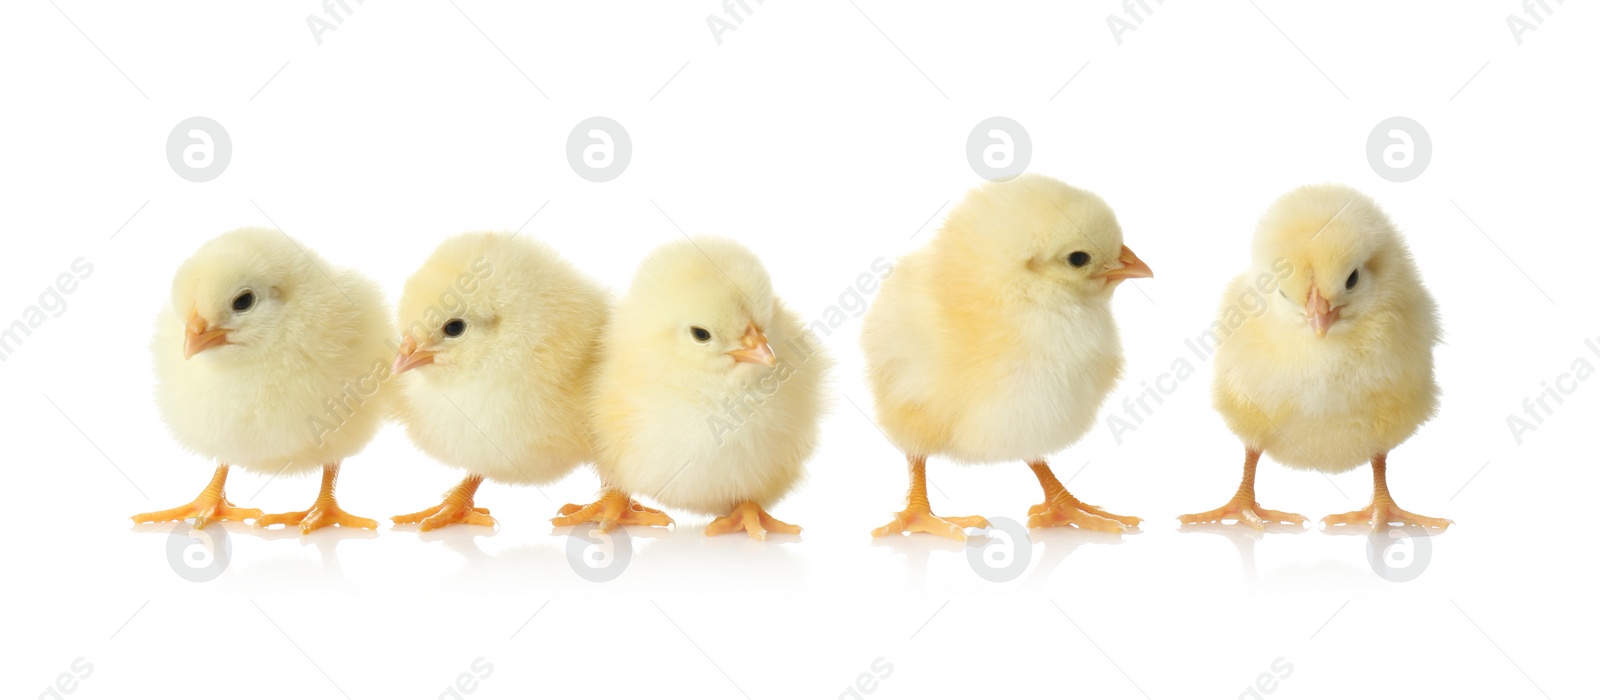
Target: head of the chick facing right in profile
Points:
(1047, 241)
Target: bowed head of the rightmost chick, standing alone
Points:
(1343, 257)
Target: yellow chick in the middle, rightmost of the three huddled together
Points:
(710, 394)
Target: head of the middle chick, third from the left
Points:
(705, 304)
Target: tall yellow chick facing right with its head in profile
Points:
(996, 343)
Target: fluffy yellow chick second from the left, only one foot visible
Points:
(502, 341)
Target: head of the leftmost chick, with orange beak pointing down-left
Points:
(239, 296)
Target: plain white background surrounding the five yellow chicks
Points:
(825, 137)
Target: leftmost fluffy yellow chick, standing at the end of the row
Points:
(273, 360)
